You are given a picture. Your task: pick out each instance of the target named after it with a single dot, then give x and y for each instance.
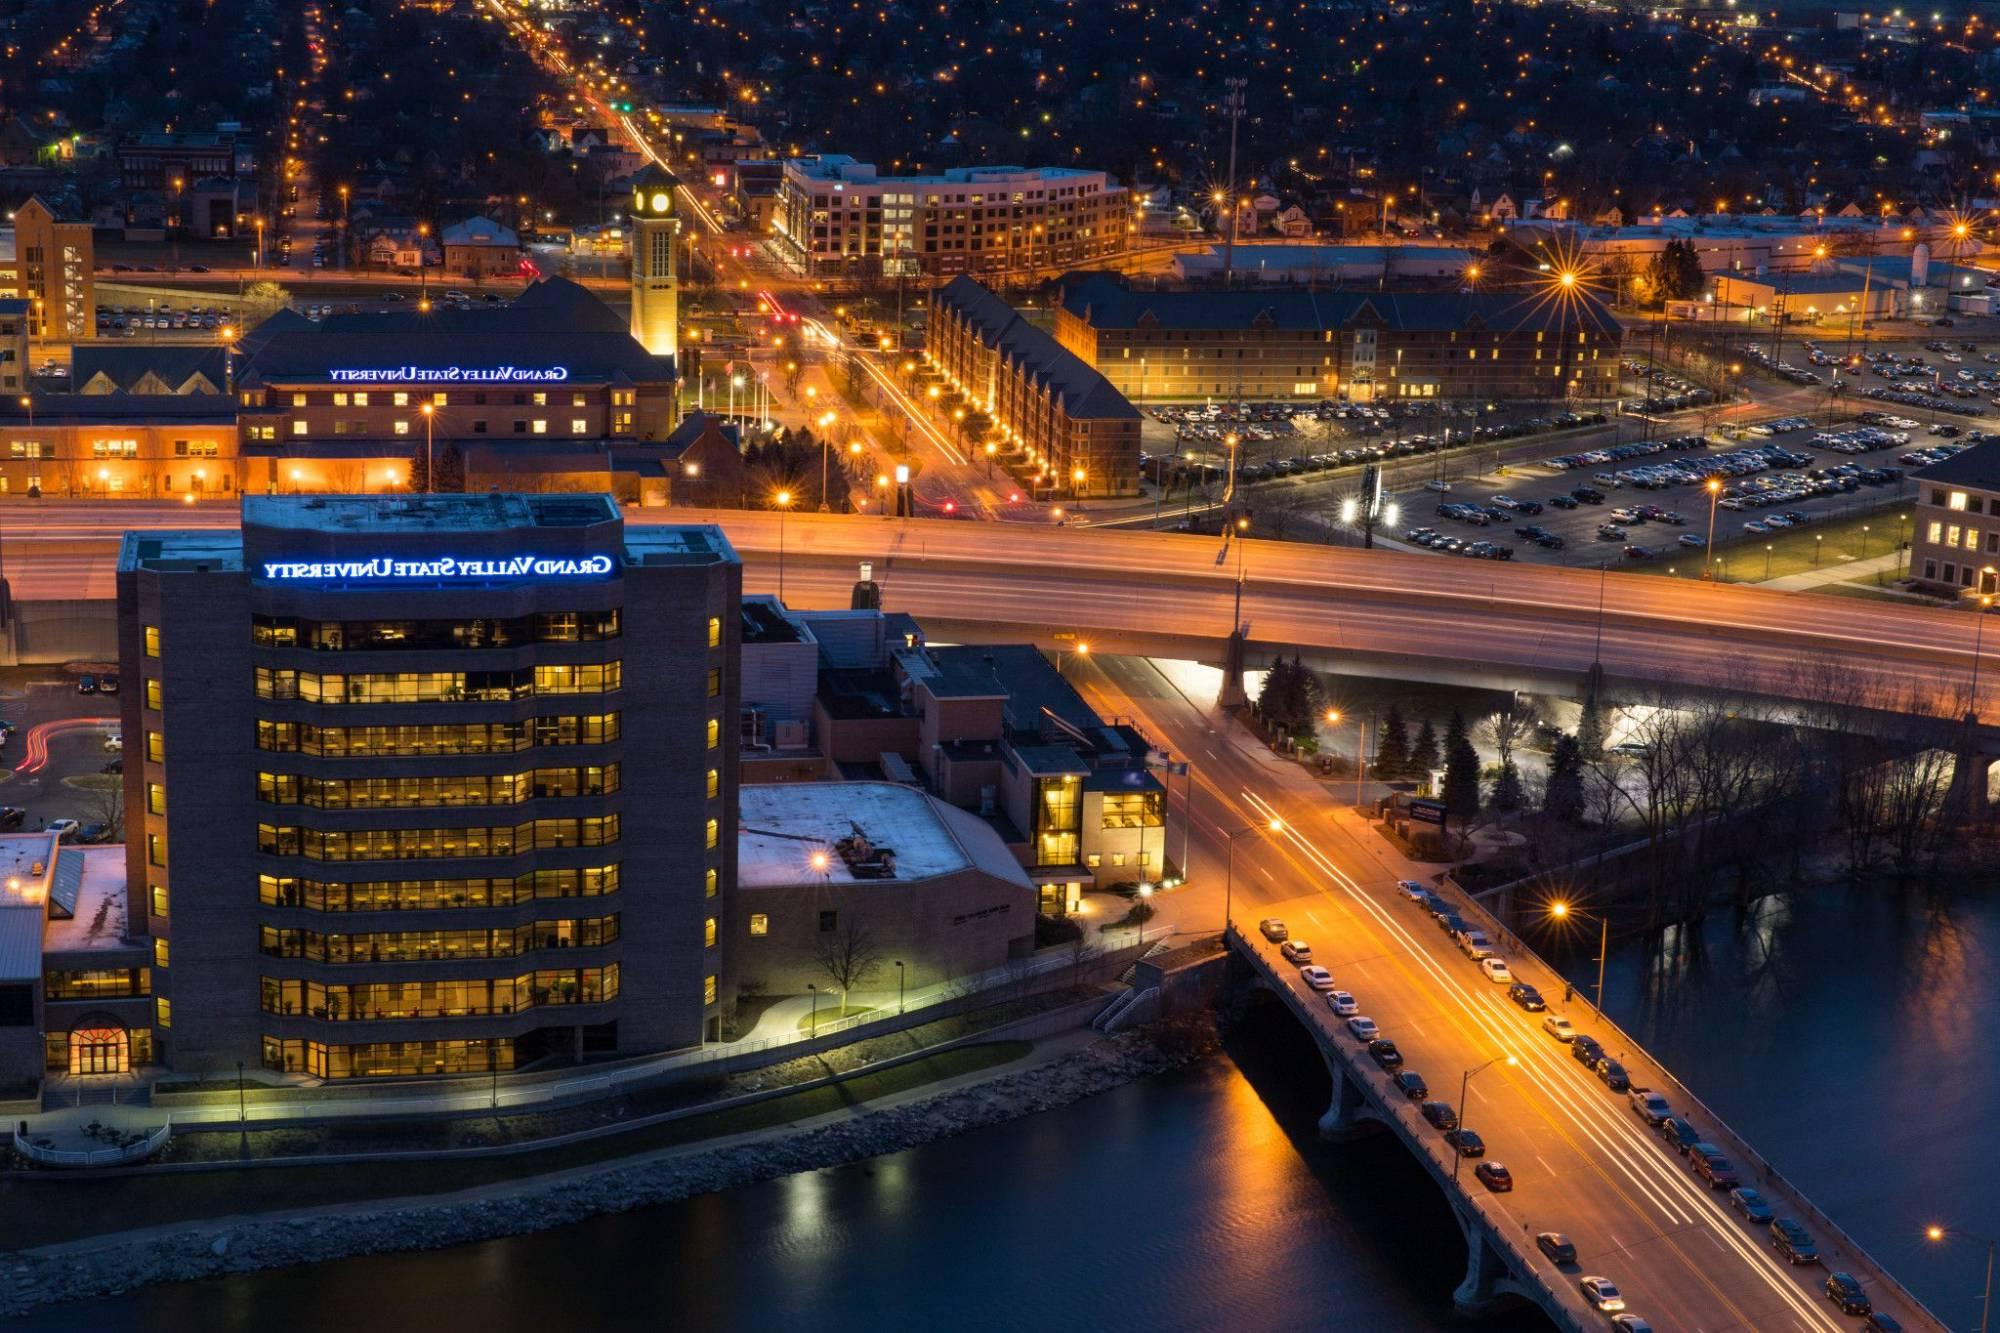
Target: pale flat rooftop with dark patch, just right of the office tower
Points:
(783, 828)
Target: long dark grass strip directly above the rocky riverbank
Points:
(49, 1208)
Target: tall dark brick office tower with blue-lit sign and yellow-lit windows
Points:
(431, 784)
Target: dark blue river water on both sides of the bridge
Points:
(1839, 1034)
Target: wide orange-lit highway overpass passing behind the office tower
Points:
(1419, 617)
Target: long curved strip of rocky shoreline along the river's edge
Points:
(209, 1250)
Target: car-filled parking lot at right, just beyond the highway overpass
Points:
(1649, 501)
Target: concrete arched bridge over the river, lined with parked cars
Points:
(1583, 1162)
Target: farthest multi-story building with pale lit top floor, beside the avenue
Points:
(839, 219)
